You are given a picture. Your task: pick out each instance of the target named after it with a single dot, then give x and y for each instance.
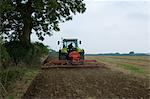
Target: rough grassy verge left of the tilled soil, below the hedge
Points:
(16, 80)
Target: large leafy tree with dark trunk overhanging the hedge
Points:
(20, 18)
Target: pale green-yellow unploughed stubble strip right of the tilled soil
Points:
(135, 65)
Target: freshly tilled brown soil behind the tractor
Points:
(86, 83)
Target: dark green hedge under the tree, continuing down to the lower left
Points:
(23, 55)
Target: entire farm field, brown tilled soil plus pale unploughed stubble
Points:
(121, 77)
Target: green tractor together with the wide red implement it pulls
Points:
(70, 56)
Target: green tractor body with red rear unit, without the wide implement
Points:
(70, 50)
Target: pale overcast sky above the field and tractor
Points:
(108, 26)
